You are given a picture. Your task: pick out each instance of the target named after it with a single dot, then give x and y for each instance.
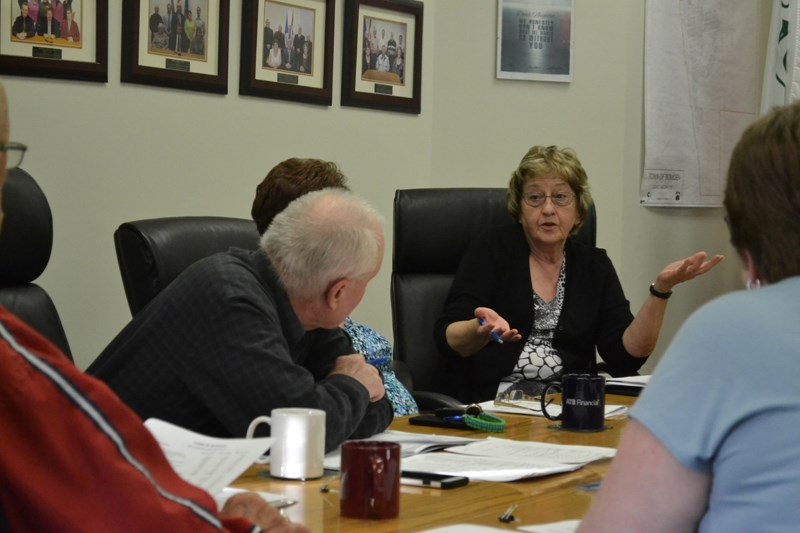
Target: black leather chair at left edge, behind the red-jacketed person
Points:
(26, 241)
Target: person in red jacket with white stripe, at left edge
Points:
(75, 458)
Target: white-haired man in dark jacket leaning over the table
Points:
(244, 332)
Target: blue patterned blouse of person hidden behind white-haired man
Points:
(374, 346)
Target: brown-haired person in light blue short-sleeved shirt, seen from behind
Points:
(712, 444)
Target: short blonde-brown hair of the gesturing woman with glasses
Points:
(538, 163)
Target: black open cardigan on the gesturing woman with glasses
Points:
(495, 273)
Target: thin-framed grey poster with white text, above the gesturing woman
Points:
(534, 40)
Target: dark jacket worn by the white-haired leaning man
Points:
(212, 356)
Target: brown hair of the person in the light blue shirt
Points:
(762, 196)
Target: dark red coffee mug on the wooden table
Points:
(370, 480)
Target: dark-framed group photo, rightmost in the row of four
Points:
(375, 79)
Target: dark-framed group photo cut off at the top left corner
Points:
(82, 56)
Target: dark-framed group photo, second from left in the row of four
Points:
(187, 62)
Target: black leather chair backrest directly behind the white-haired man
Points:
(151, 253)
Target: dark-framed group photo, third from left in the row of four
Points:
(271, 67)
